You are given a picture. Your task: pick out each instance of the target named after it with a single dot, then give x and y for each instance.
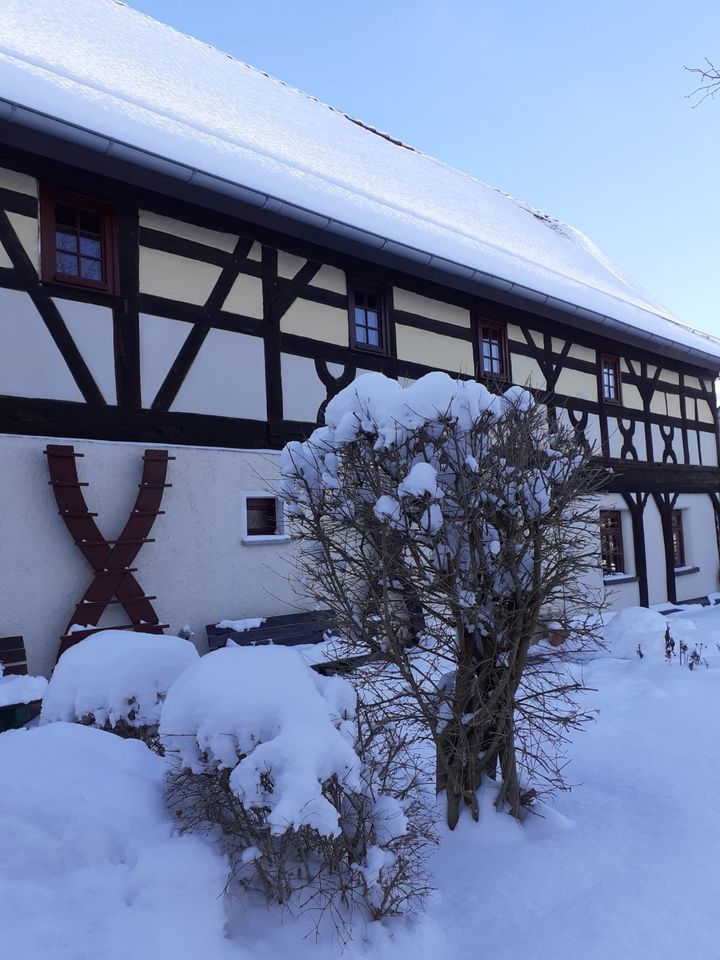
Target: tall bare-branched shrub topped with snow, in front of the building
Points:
(439, 522)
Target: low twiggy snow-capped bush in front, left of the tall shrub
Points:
(269, 760)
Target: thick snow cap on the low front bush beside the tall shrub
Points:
(263, 715)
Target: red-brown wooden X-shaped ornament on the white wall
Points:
(114, 580)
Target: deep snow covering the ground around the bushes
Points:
(623, 866)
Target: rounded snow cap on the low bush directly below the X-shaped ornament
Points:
(116, 679)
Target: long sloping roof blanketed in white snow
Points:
(103, 66)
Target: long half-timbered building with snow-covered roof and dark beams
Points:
(195, 257)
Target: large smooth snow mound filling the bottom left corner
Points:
(90, 864)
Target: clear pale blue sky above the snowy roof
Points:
(579, 108)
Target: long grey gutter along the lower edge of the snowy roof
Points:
(15, 113)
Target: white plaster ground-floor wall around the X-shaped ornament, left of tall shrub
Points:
(198, 567)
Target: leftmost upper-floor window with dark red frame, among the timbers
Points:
(78, 241)
